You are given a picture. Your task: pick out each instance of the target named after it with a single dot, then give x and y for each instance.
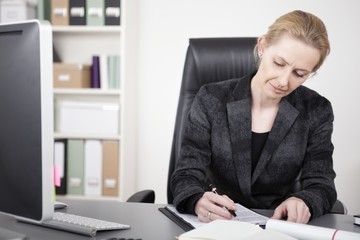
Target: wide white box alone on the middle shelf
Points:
(87, 117)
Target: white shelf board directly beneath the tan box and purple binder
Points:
(87, 91)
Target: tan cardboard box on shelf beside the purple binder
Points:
(72, 75)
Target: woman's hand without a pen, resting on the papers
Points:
(294, 209)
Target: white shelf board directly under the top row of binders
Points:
(86, 29)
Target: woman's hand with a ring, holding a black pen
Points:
(212, 206)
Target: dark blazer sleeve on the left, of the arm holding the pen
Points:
(189, 177)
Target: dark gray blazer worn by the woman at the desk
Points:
(217, 148)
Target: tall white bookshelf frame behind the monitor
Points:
(77, 44)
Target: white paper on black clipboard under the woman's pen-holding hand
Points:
(243, 214)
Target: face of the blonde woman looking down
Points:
(284, 65)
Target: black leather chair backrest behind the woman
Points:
(208, 60)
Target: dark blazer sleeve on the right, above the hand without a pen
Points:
(318, 175)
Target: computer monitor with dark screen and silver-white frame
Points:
(26, 121)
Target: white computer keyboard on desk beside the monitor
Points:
(80, 224)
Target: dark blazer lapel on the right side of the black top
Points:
(284, 120)
